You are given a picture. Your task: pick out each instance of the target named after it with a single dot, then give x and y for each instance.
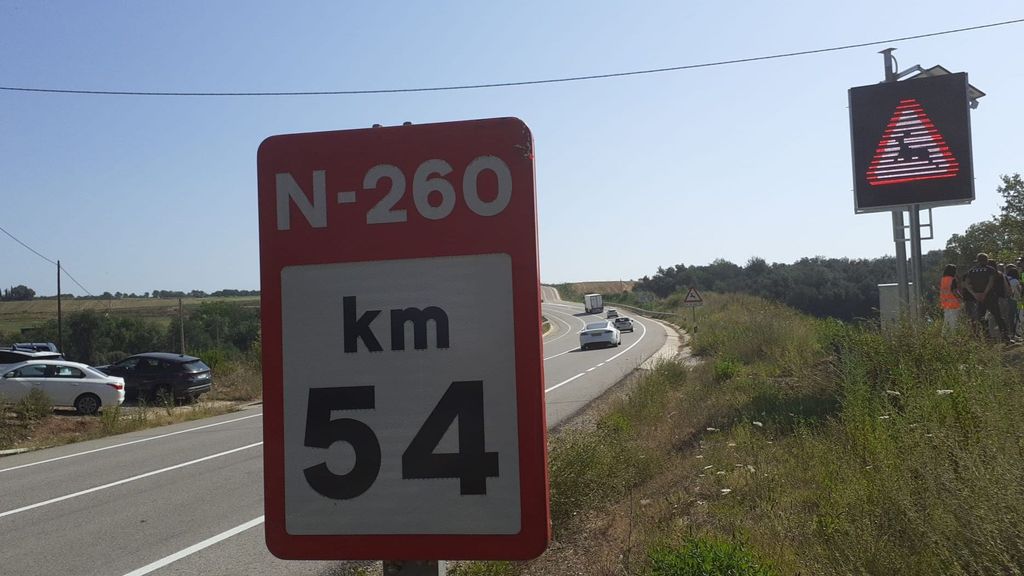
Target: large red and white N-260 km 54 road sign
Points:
(403, 377)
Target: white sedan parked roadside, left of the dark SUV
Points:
(66, 384)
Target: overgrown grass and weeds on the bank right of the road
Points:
(798, 446)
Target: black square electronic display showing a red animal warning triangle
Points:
(912, 144)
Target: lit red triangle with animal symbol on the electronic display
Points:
(911, 149)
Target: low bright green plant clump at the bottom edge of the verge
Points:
(707, 557)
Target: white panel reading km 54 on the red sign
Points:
(400, 397)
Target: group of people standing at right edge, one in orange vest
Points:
(990, 293)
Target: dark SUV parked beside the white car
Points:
(162, 376)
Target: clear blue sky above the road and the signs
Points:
(138, 194)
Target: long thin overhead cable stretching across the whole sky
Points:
(504, 85)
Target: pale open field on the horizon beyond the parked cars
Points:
(21, 315)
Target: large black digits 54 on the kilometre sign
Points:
(463, 401)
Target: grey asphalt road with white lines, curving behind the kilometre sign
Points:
(189, 499)
